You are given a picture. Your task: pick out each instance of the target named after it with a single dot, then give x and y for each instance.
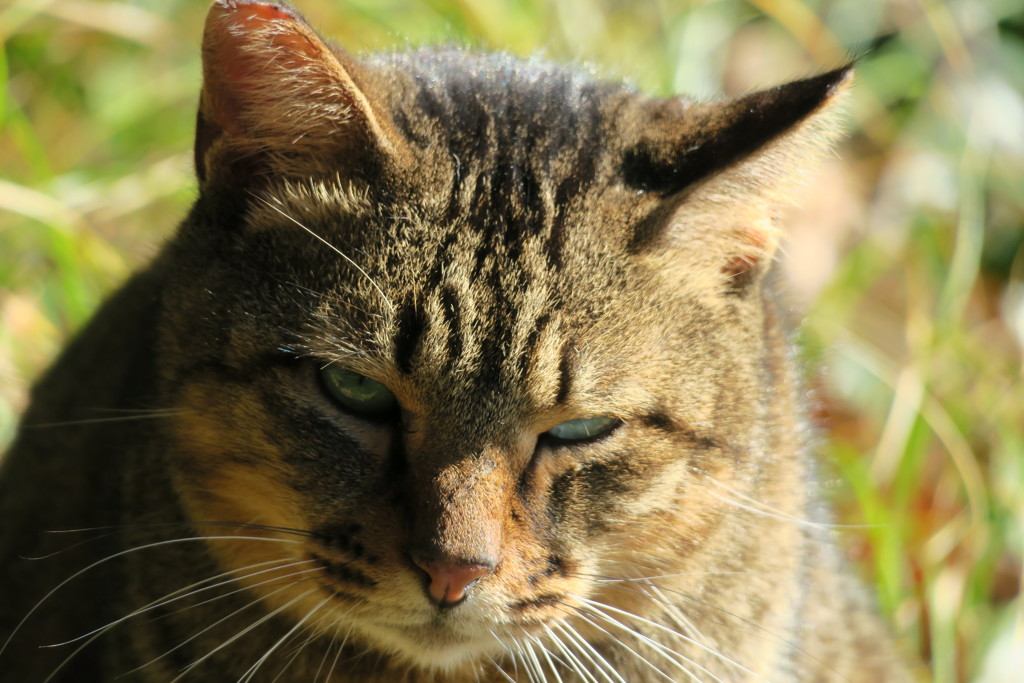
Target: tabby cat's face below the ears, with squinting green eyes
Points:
(488, 350)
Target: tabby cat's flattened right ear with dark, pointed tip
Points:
(727, 170)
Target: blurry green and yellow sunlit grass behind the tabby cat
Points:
(907, 255)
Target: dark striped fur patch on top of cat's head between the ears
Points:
(518, 146)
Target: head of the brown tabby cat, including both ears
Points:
(472, 327)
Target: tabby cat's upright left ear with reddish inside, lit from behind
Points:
(277, 100)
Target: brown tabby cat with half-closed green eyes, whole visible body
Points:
(462, 368)
